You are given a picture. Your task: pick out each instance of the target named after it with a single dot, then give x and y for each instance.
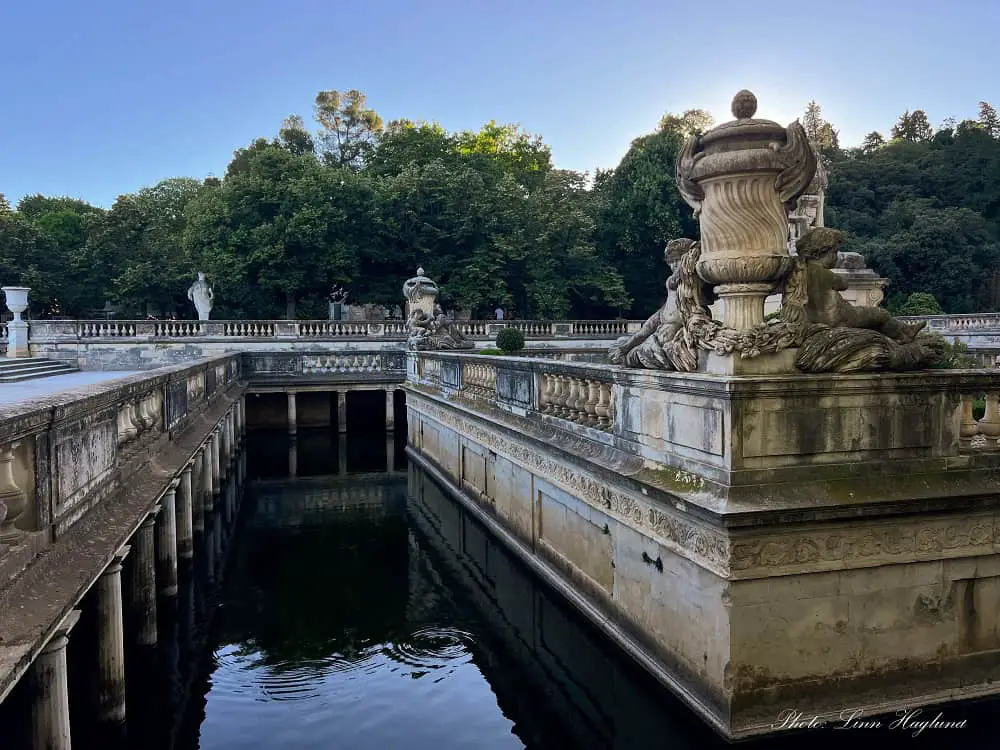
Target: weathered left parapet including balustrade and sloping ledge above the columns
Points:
(89, 464)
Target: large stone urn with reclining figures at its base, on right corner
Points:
(743, 178)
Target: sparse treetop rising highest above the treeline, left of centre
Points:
(349, 131)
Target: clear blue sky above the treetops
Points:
(106, 96)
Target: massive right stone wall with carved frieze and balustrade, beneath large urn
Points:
(802, 542)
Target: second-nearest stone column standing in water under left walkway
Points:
(111, 642)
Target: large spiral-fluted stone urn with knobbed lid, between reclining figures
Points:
(742, 178)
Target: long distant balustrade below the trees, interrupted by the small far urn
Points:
(146, 330)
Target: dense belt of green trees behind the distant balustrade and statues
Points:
(360, 204)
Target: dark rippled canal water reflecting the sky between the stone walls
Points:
(360, 607)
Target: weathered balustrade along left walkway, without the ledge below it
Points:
(60, 457)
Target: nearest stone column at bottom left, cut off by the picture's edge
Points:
(50, 691)
